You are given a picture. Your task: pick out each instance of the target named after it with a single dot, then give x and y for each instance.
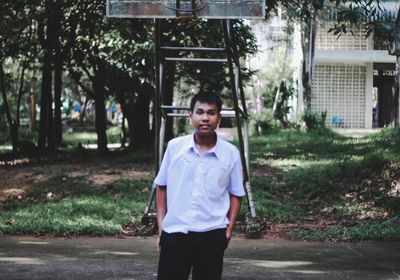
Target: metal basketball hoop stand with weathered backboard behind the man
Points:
(223, 10)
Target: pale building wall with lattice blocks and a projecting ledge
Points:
(343, 77)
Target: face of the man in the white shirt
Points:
(205, 118)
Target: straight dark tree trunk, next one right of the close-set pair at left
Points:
(100, 111)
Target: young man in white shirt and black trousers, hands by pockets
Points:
(199, 190)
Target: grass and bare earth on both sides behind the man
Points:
(319, 186)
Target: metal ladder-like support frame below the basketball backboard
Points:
(163, 111)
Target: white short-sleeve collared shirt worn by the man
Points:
(199, 185)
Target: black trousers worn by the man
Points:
(201, 252)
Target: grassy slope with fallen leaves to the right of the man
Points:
(331, 187)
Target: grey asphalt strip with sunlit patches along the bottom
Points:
(136, 258)
